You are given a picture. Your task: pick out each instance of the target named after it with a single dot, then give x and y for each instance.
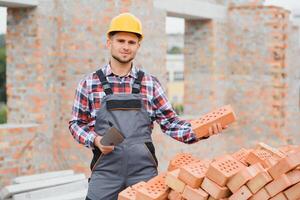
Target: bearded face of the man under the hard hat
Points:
(123, 46)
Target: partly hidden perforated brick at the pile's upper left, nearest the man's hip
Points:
(180, 160)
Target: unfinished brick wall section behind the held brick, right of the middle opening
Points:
(247, 62)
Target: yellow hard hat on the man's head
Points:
(126, 22)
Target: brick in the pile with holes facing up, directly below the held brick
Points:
(222, 169)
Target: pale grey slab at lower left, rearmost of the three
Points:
(42, 176)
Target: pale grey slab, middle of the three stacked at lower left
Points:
(10, 190)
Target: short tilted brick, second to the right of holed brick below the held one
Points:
(259, 181)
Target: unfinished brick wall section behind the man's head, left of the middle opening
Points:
(49, 49)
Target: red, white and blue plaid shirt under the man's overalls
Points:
(88, 100)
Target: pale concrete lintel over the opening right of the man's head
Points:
(192, 9)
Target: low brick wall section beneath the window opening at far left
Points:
(16, 150)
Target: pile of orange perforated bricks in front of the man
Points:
(256, 174)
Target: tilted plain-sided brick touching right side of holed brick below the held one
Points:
(243, 176)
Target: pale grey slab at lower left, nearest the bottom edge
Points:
(53, 191)
